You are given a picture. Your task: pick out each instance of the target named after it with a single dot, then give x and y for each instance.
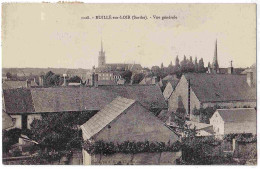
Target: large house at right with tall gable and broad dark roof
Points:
(201, 90)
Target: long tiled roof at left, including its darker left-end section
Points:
(56, 99)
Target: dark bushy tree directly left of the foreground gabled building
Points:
(58, 131)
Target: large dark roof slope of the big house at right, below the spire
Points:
(220, 87)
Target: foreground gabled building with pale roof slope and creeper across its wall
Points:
(124, 120)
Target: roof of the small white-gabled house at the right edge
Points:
(238, 115)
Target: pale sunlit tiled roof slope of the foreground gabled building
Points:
(105, 116)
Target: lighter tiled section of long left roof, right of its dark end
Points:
(70, 99)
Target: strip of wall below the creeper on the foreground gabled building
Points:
(164, 158)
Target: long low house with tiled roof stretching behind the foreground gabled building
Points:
(26, 104)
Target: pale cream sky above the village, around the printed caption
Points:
(45, 35)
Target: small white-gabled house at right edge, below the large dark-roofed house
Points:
(238, 120)
